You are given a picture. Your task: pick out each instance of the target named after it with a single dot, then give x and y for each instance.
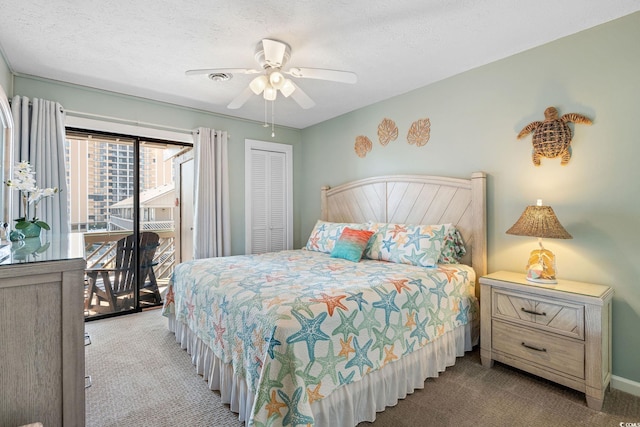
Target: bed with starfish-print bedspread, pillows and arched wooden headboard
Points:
(313, 337)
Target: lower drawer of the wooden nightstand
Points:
(541, 348)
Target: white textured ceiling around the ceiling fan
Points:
(144, 47)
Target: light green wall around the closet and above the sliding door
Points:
(77, 98)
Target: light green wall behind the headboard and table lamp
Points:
(475, 118)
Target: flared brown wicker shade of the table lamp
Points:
(539, 221)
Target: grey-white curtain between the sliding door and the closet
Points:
(212, 229)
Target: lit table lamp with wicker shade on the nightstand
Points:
(541, 222)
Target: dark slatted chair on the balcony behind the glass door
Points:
(116, 286)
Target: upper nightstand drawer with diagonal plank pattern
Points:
(538, 312)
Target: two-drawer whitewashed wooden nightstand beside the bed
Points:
(560, 332)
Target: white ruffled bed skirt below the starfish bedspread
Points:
(350, 404)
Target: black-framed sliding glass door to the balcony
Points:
(122, 194)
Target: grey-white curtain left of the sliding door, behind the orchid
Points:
(39, 137)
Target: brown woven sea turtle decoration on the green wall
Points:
(552, 137)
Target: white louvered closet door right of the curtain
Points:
(268, 199)
